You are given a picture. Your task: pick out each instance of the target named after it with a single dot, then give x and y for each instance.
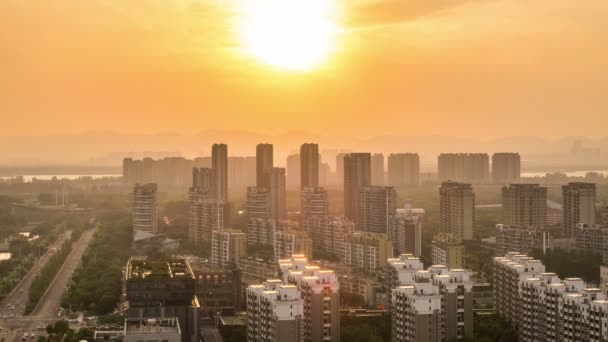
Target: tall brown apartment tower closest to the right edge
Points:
(579, 205)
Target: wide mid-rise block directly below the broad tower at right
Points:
(521, 239)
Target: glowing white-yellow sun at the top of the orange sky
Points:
(295, 35)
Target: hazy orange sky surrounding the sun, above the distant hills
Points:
(477, 68)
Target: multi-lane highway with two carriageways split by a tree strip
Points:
(47, 308)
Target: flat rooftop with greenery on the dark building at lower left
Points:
(143, 269)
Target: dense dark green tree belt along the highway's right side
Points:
(96, 284)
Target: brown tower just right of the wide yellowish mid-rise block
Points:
(405, 231)
